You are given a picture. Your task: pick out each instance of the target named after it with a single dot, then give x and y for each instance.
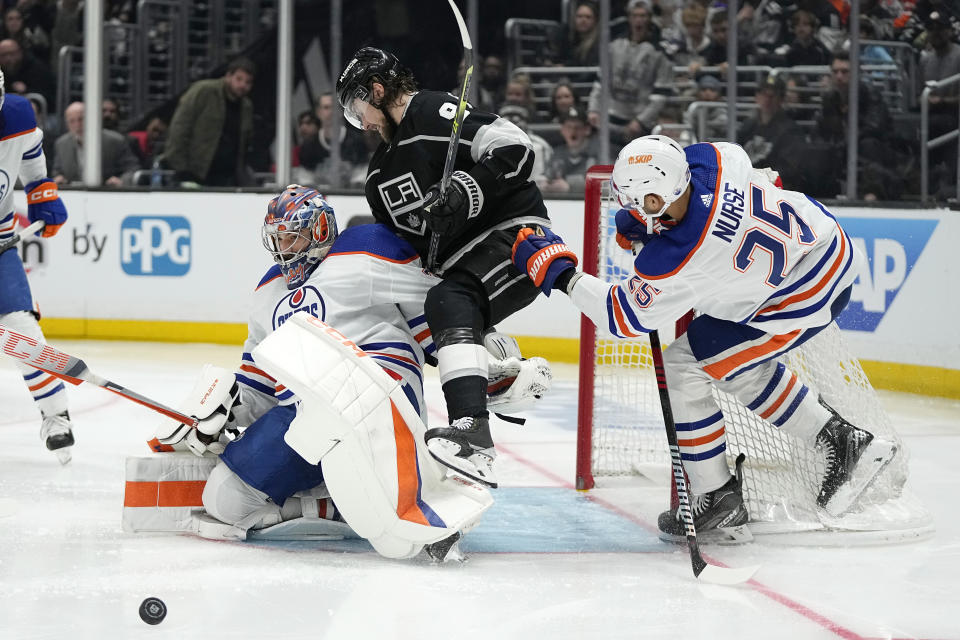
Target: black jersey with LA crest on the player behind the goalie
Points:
(493, 150)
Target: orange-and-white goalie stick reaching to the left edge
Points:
(74, 370)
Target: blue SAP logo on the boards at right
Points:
(893, 248)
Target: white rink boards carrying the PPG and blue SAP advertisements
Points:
(196, 257)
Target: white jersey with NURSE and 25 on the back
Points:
(746, 251)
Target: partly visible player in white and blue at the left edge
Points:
(21, 155)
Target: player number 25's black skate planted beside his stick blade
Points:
(719, 516)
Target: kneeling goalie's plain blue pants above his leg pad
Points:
(263, 459)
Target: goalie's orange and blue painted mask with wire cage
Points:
(298, 231)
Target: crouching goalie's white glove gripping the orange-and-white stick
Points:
(213, 401)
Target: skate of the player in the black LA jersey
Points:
(466, 447)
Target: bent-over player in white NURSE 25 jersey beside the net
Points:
(766, 268)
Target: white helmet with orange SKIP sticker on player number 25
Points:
(650, 165)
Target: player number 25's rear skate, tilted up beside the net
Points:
(854, 459)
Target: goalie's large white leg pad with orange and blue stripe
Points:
(370, 438)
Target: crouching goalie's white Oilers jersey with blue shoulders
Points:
(371, 287)
